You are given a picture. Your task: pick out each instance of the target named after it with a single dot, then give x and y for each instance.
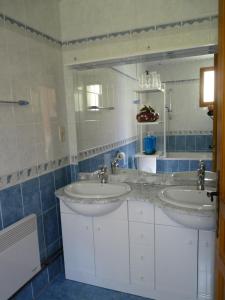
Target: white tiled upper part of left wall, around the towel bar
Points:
(30, 69)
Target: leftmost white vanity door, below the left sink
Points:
(77, 232)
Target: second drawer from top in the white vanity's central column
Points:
(141, 233)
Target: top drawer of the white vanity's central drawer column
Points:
(141, 211)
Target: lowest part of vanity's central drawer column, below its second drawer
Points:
(142, 265)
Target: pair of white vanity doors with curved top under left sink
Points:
(96, 250)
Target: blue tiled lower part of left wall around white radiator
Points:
(26, 198)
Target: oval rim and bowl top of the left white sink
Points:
(96, 190)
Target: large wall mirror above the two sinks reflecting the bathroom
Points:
(183, 128)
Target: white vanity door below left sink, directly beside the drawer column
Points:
(111, 249)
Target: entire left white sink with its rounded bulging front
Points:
(94, 198)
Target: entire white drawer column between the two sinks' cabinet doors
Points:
(141, 235)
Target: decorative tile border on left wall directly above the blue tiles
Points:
(34, 171)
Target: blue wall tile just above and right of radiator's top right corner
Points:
(47, 187)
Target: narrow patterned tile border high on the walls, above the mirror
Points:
(126, 33)
